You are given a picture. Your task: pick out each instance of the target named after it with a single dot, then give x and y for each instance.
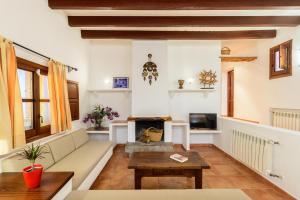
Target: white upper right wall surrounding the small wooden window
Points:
(255, 94)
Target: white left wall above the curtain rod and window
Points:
(33, 24)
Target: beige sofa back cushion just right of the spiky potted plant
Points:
(62, 147)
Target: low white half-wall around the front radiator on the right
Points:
(285, 162)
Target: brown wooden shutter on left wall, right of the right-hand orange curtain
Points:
(73, 99)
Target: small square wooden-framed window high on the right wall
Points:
(281, 60)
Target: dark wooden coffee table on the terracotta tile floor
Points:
(156, 164)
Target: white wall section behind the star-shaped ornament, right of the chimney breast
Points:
(186, 60)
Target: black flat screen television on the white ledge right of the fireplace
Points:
(203, 121)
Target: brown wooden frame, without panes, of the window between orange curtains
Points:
(38, 131)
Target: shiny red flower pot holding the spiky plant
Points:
(33, 178)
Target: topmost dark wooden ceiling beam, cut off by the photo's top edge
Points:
(174, 4)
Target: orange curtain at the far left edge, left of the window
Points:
(12, 132)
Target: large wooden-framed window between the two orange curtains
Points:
(35, 97)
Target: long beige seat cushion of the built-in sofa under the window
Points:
(83, 160)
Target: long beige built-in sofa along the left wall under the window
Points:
(73, 152)
